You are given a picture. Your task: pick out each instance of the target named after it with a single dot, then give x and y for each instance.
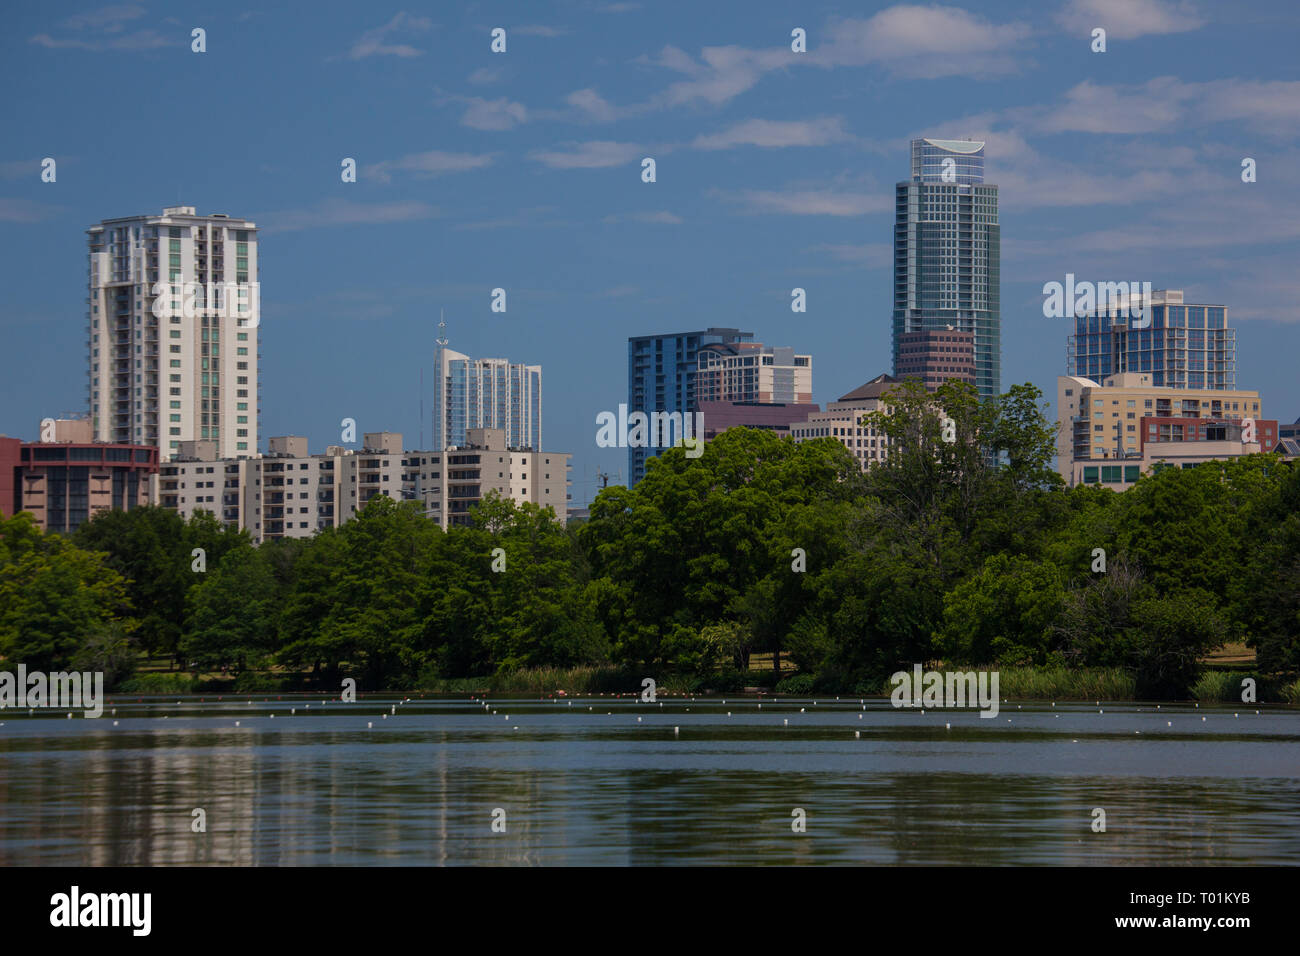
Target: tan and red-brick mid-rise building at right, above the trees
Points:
(1116, 431)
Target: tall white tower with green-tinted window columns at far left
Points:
(172, 331)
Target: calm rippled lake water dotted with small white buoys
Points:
(584, 782)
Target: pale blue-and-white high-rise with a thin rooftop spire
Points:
(486, 393)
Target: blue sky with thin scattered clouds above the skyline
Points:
(523, 171)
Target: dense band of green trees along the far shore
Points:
(963, 547)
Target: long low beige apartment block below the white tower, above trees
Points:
(292, 494)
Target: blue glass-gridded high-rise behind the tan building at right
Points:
(1177, 344)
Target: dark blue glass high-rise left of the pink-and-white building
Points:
(662, 374)
